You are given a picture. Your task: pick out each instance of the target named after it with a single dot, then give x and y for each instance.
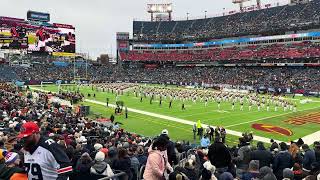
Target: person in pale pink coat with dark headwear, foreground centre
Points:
(156, 163)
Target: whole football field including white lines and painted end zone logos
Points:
(149, 119)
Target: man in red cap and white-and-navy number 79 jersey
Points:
(43, 158)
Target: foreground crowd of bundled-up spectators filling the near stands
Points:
(94, 150)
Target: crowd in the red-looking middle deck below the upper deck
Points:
(255, 52)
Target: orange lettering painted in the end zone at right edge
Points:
(308, 118)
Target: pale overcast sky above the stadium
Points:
(97, 21)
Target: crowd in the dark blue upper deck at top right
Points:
(274, 20)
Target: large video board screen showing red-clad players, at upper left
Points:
(40, 37)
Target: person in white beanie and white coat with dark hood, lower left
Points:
(100, 166)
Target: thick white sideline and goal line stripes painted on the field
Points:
(232, 132)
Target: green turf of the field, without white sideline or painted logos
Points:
(236, 120)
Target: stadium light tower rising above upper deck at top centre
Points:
(160, 9)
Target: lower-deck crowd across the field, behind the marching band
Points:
(296, 78)
